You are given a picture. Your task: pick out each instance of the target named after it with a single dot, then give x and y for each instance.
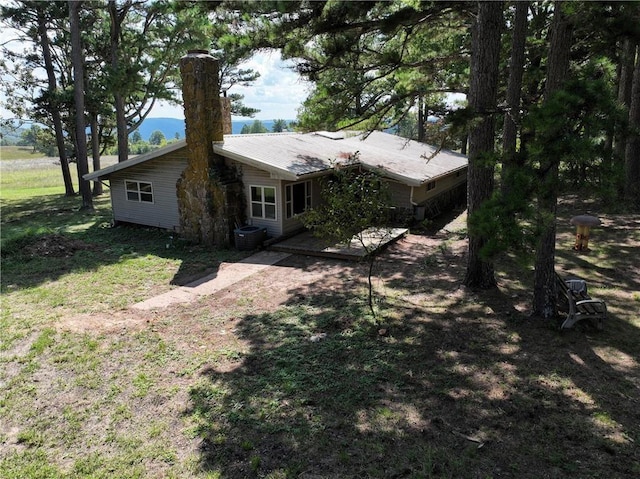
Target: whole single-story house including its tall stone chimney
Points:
(264, 180)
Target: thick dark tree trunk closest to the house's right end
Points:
(482, 100)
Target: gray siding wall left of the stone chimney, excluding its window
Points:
(162, 173)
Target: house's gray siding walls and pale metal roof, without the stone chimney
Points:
(280, 173)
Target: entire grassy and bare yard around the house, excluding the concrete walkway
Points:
(287, 375)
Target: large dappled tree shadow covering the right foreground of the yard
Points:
(451, 383)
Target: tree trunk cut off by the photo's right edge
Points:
(632, 151)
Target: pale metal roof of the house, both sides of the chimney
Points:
(295, 156)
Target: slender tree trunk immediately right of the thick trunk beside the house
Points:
(510, 162)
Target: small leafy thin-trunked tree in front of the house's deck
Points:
(355, 207)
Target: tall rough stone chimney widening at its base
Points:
(208, 205)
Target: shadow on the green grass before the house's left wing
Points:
(47, 237)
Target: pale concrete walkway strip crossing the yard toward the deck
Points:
(227, 274)
